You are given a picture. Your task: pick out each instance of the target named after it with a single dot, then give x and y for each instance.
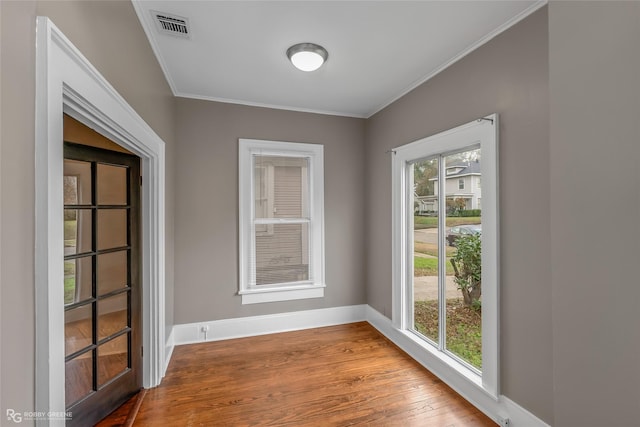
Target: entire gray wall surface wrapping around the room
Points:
(570, 341)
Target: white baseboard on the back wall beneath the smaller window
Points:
(269, 324)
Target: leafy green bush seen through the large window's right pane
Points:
(467, 267)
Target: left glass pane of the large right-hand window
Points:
(425, 248)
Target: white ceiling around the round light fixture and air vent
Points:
(378, 50)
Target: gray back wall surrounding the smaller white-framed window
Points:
(207, 205)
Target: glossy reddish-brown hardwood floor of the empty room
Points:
(334, 376)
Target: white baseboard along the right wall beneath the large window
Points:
(499, 410)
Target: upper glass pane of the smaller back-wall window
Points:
(281, 187)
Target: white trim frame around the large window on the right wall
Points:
(485, 133)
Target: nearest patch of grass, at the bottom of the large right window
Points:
(464, 336)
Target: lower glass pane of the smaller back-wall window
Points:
(283, 256)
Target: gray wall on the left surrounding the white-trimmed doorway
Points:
(125, 58)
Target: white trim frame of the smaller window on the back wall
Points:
(314, 287)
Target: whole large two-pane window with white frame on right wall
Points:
(445, 250)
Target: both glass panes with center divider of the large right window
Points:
(445, 240)
